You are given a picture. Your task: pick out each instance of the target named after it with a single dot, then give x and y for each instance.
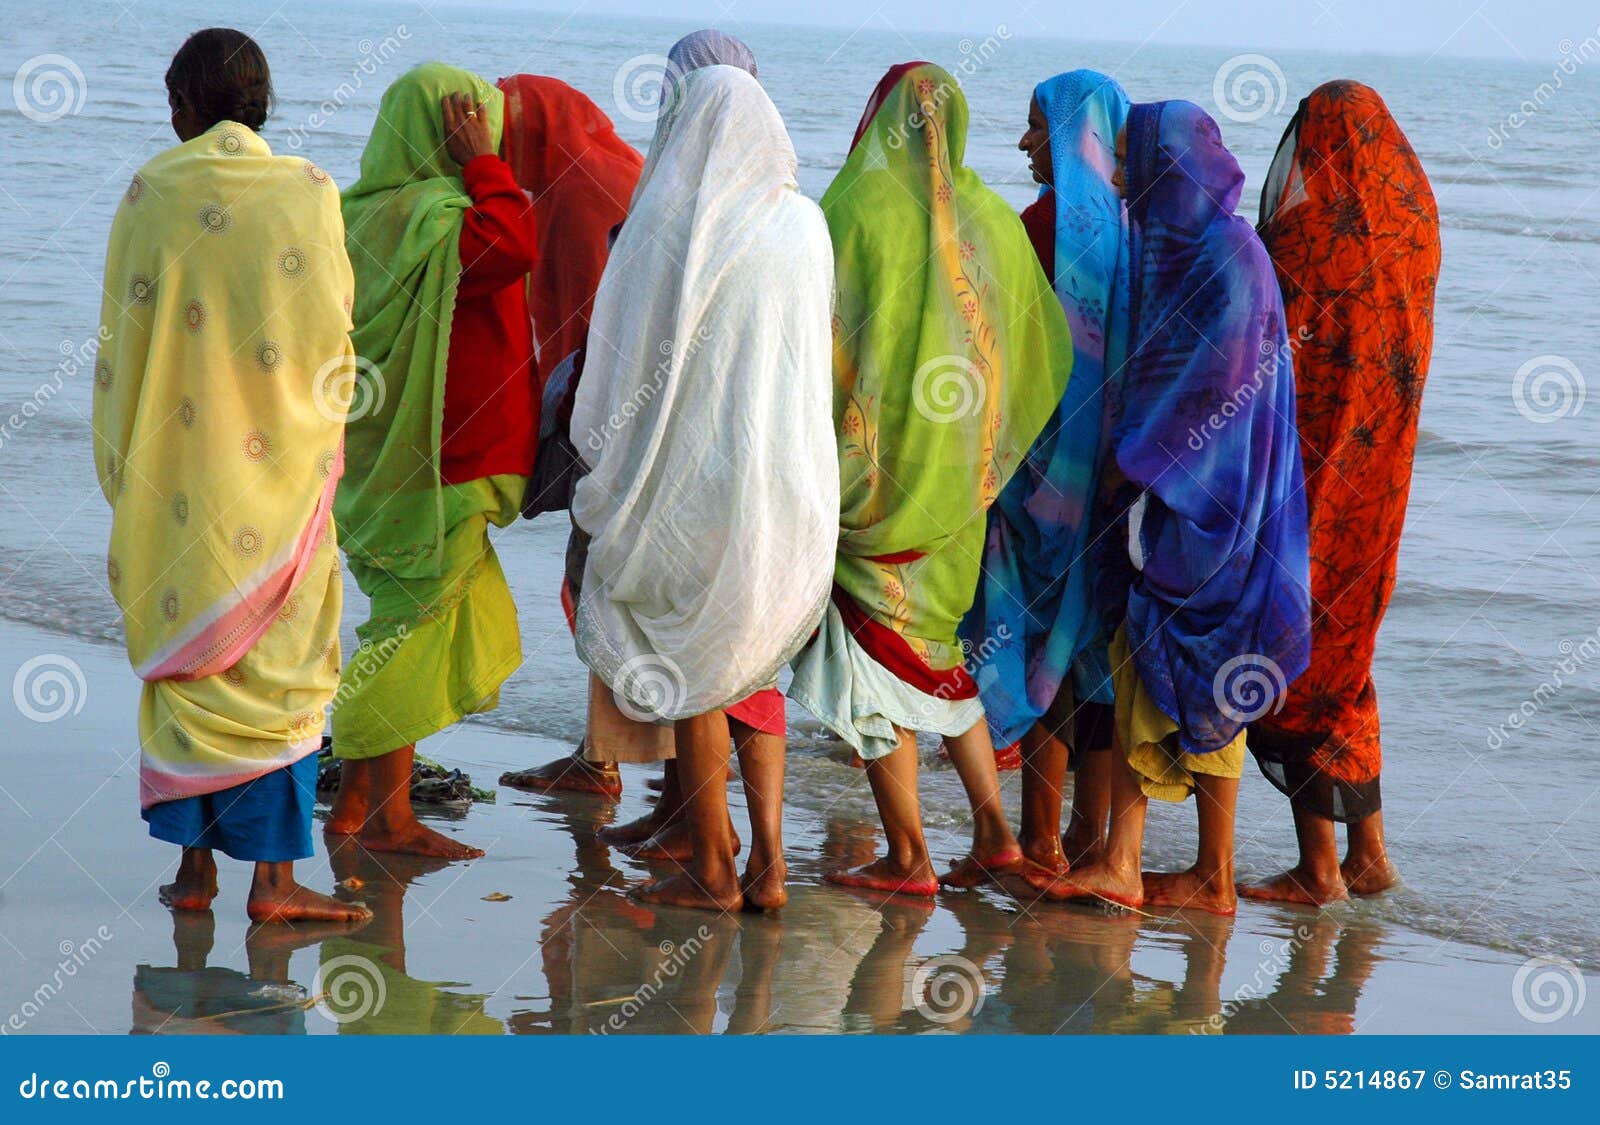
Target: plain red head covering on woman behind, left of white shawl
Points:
(580, 177)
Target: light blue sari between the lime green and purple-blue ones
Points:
(1033, 620)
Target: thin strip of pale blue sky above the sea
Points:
(1527, 30)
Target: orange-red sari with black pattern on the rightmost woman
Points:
(1350, 220)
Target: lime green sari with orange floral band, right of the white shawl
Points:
(951, 353)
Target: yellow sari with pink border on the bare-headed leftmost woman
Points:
(222, 391)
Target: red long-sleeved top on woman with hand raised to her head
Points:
(492, 412)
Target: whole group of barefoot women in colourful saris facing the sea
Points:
(1054, 481)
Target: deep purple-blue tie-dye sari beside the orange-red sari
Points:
(1212, 579)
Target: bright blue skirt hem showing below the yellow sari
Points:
(266, 820)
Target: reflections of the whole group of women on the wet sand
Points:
(831, 961)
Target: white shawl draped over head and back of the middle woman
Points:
(706, 415)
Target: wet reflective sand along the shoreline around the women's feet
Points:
(87, 947)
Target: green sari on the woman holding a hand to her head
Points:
(442, 636)
